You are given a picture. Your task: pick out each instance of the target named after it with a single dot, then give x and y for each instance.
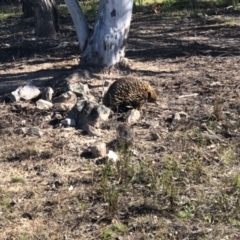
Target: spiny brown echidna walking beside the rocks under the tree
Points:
(128, 93)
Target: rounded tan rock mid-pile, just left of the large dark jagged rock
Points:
(65, 101)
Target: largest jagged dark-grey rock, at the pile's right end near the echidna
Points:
(91, 113)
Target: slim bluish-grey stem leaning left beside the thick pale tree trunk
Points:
(79, 22)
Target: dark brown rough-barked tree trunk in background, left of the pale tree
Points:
(46, 18)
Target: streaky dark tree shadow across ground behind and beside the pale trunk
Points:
(152, 37)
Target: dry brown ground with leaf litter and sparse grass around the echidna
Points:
(184, 185)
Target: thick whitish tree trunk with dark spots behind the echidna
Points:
(106, 47)
